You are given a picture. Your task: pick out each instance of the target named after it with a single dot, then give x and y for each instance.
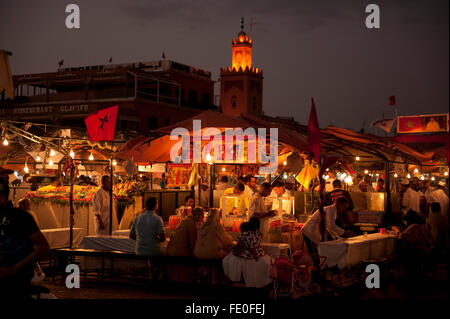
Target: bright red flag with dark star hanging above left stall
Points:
(101, 124)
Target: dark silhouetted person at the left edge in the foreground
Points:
(21, 245)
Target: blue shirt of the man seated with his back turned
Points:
(146, 227)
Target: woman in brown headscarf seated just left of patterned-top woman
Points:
(213, 242)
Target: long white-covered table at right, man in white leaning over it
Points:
(346, 253)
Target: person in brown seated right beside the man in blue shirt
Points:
(182, 244)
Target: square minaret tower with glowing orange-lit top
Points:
(241, 84)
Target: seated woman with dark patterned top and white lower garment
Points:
(248, 259)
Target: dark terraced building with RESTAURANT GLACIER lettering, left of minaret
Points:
(149, 94)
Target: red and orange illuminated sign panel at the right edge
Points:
(430, 123)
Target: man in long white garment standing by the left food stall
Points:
(101, 203)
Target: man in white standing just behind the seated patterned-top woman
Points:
(258, 209)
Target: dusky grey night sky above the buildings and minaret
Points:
(305, 48)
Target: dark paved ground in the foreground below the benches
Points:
(433, 286)
